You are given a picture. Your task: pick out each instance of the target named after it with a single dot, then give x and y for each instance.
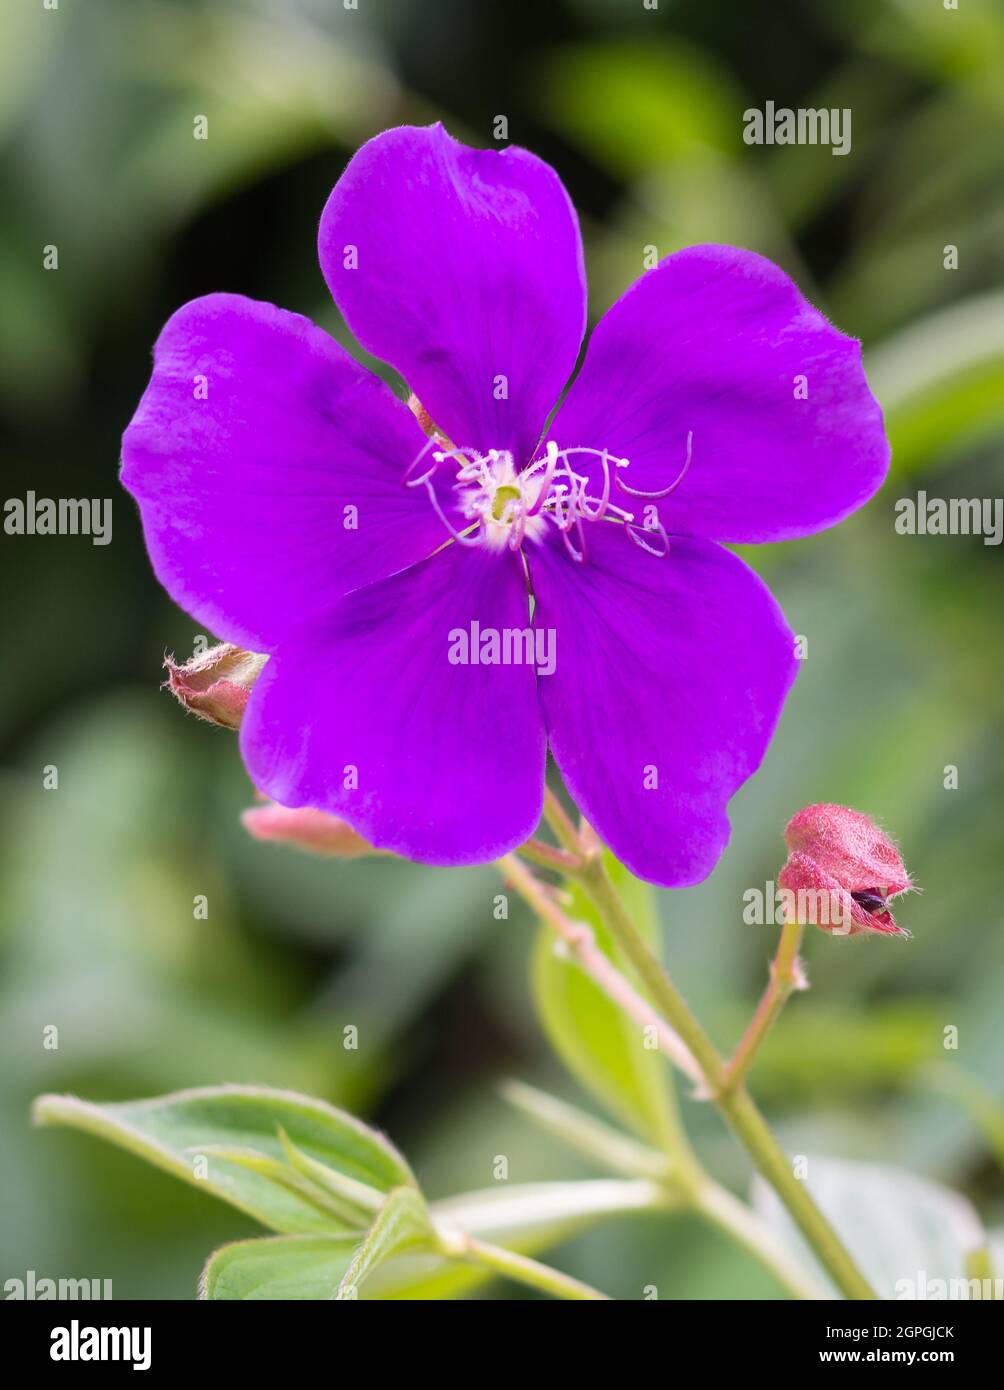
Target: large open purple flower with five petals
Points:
(294, 505)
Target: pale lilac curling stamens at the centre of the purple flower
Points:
(504, 507)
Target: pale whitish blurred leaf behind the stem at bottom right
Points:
(899, 1228)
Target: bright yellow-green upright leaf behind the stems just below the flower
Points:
(600, 1046)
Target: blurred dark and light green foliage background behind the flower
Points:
(642, 115)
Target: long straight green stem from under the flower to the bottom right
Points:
(738, 1107)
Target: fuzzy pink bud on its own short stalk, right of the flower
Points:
(842, 854)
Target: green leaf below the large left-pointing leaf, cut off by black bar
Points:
(277, 1268)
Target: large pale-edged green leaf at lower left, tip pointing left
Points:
(173, 1131)
